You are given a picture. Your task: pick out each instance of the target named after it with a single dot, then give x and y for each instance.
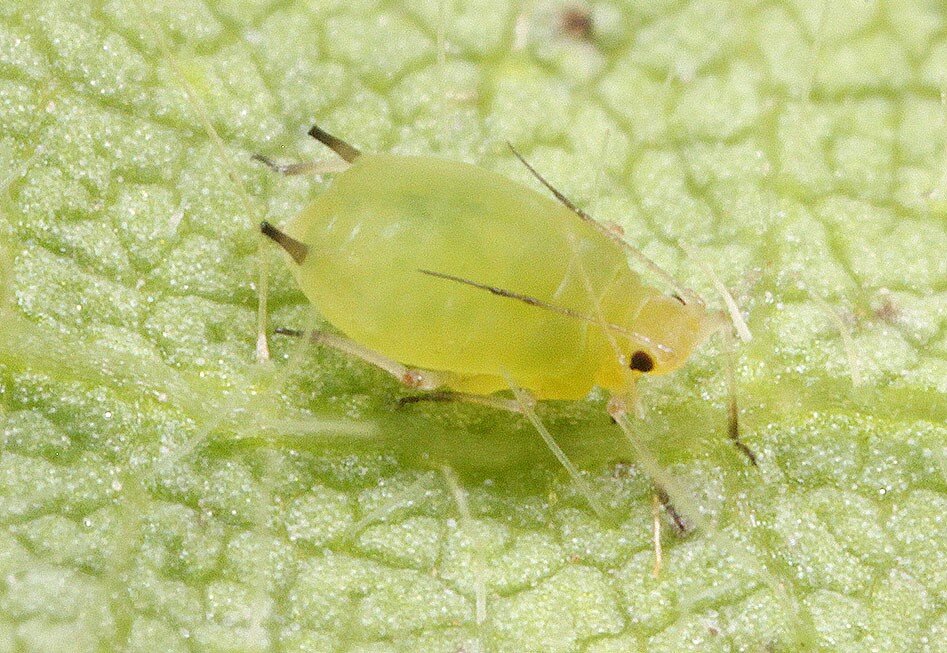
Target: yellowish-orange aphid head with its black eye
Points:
(669, 329)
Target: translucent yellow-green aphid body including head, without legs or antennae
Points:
(388, 216)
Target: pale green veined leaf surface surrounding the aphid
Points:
(161, 490)
